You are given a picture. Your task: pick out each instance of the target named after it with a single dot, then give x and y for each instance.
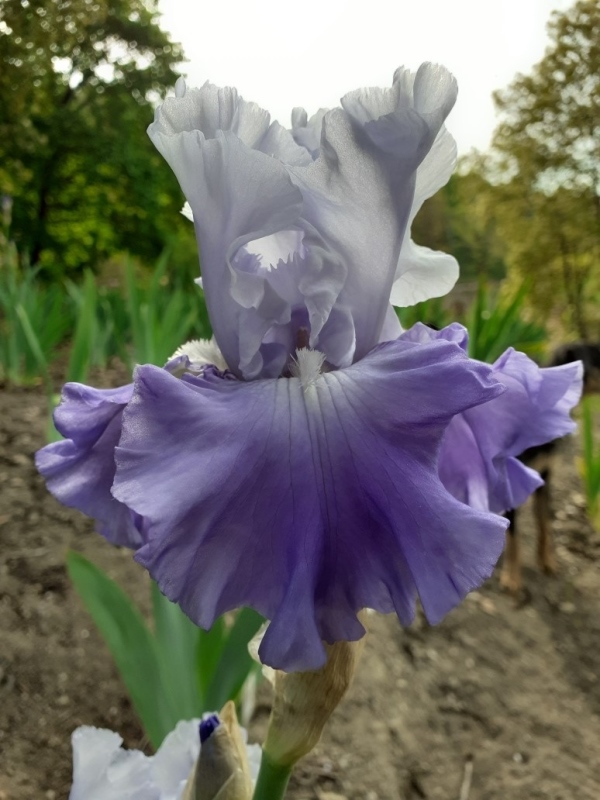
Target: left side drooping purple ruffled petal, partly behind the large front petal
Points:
(80, 469)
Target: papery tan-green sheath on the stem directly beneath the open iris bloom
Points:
(304, 701)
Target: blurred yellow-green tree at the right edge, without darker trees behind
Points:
(547, 171)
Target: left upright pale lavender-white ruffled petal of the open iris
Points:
(228, 158)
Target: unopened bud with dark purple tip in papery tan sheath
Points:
(221, 771)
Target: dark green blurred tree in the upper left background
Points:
(78, 79)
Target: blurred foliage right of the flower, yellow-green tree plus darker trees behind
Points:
(529, 209)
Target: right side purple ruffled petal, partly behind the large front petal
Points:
(478, 460)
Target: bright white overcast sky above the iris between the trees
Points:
(282, 54)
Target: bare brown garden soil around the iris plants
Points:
(516, 690)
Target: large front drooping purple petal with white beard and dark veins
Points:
(307, 501)
